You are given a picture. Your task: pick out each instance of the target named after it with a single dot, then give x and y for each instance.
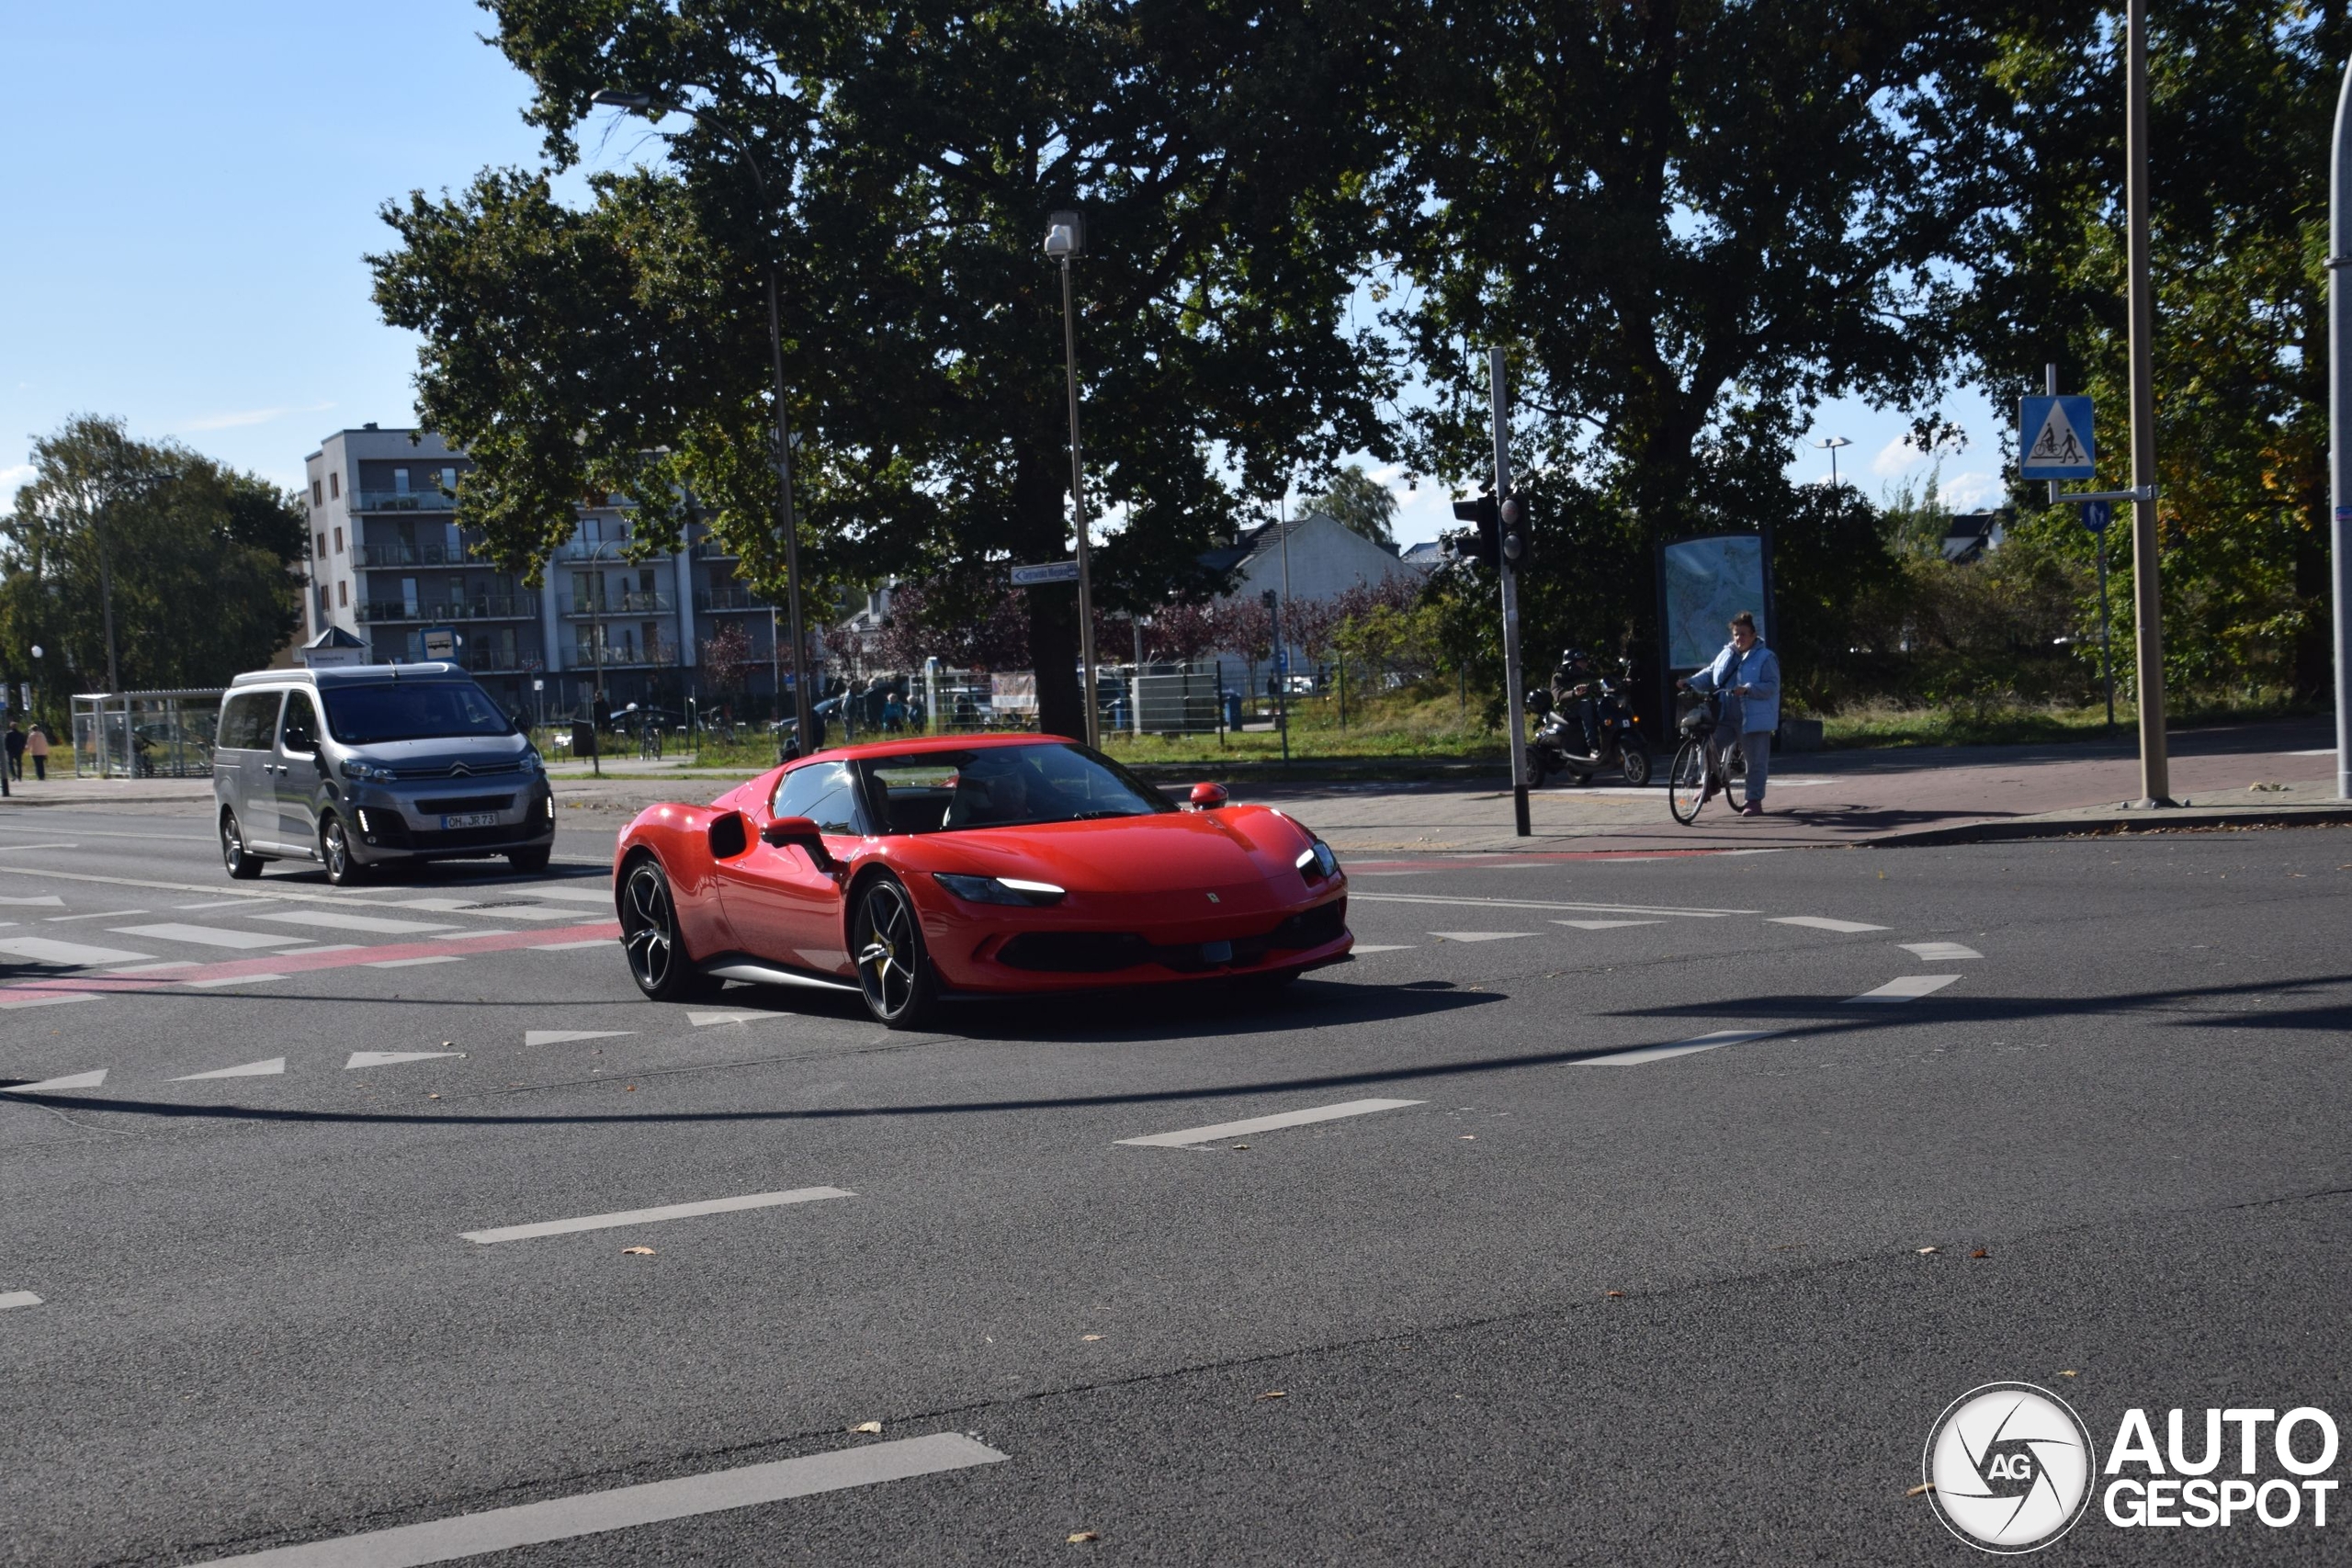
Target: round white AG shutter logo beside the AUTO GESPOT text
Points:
(2010, 1468)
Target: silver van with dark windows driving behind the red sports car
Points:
(370, 765)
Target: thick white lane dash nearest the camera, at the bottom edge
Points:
(632, 1506)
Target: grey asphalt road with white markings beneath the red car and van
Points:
(1570, 1301)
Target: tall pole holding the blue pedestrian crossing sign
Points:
(2146, 589)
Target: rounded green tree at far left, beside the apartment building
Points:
(201, 563)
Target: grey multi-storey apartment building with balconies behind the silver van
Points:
(392, 568)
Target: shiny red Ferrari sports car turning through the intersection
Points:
(970, 866)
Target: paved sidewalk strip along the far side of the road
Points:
(2243, 775)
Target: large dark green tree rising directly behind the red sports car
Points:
(1220, 154)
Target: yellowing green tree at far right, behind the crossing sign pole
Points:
(2243, 98)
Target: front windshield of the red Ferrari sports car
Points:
(1003, 786)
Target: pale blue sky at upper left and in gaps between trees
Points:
(192, 192)
